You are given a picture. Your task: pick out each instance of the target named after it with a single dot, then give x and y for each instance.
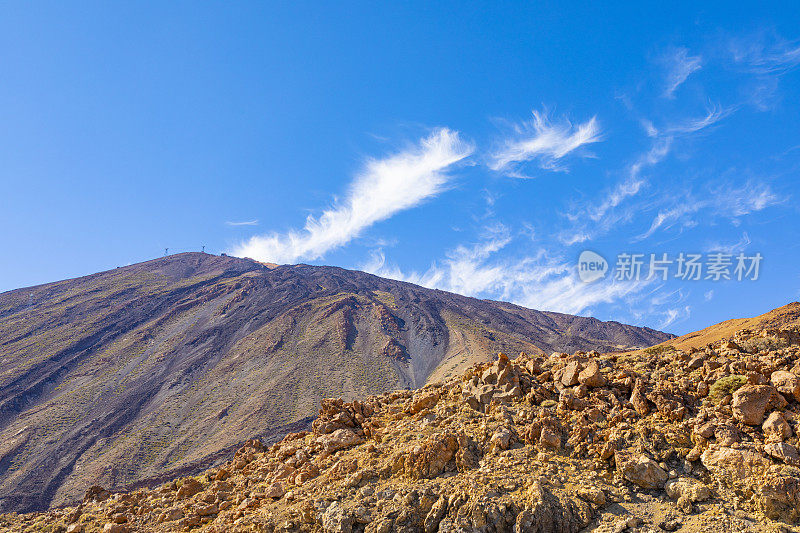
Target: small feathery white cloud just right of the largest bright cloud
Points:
(544, 141)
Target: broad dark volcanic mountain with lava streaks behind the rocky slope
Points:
(163, 368)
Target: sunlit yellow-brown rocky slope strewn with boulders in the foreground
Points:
(654, 440)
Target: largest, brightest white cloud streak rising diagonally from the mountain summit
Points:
(383, 188)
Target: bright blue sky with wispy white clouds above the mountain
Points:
(473, 147)
